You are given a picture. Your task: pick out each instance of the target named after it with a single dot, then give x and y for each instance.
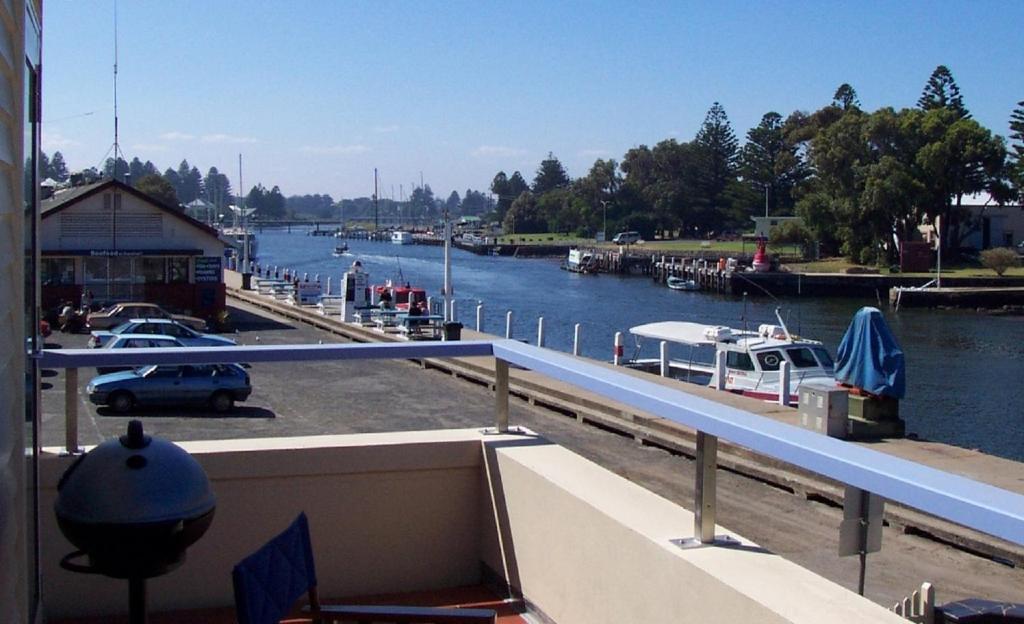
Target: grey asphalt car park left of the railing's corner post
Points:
(297, 399)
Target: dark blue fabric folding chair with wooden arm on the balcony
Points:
(269, 583)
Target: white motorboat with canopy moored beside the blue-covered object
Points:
(753, 360)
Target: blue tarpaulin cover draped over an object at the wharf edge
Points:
(870, 358)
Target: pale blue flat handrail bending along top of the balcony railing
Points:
(968, 503)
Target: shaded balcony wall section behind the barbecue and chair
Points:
(388, 513)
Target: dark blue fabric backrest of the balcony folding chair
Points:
(269, 583)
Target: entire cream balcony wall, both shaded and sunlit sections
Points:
(418, 511)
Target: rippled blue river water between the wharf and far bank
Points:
(965, 370)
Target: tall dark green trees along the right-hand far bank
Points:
(862, 182)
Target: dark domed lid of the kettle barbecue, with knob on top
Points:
(135, 479)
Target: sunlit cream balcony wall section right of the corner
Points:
(586, 546)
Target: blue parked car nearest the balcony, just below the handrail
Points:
(215, 386)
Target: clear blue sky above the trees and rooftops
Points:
(316, 95)
